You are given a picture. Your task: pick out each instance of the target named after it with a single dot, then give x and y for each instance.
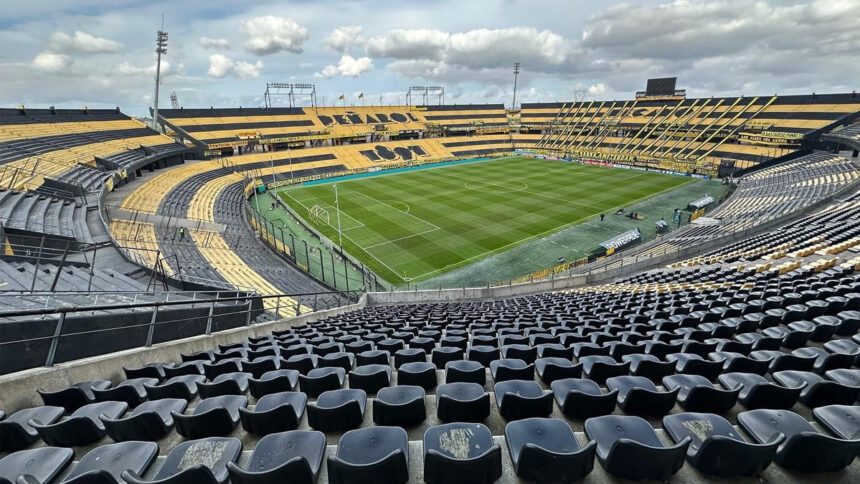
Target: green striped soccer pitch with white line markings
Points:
(411, 226)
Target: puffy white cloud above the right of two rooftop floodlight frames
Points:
(409, 44)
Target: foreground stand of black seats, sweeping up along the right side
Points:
(735, 355)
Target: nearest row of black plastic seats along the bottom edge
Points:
(541, 450)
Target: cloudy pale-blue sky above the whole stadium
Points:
(98, 53)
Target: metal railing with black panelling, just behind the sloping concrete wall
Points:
(80, 331)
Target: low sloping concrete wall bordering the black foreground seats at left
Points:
(18, 390)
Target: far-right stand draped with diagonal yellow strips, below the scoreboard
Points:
(687, 134)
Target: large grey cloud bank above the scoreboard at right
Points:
(727, 45)
